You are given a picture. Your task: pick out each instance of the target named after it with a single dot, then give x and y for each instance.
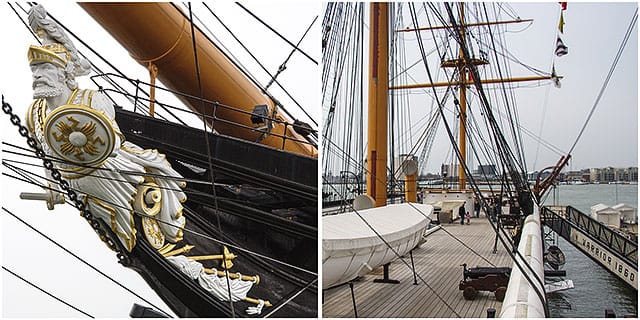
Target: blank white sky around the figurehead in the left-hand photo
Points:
(32, 256)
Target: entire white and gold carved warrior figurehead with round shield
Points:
(118, 181)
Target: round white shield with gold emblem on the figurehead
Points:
(79, 134)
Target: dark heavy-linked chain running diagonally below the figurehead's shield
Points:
(95, 223)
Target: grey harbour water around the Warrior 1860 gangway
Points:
(596, 289)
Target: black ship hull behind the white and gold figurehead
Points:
(265, 202)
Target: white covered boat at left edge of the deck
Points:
(350, 247)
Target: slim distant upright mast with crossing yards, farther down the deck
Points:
(462, 184)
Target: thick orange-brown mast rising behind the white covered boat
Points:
(378, 93)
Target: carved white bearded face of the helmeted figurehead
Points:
(48, 80)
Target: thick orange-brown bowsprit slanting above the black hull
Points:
(159, 33)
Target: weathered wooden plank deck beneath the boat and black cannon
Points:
(438, 262)
